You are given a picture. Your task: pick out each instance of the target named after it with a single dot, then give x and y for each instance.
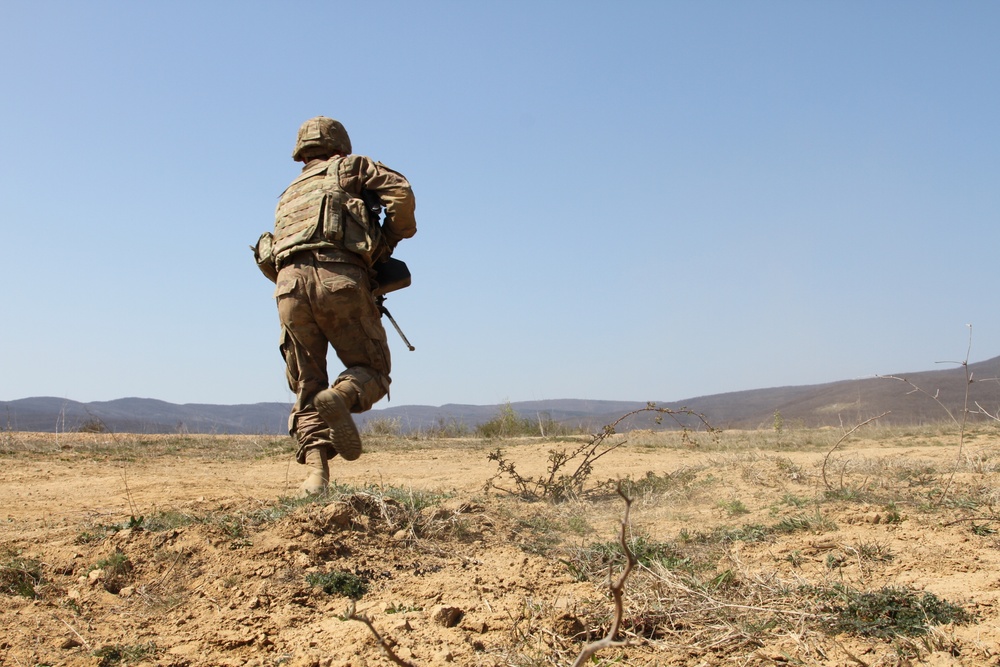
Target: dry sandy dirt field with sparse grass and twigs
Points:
(754, 548)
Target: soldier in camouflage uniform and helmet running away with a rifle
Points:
(321, 257)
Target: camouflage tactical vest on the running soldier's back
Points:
(315, 212)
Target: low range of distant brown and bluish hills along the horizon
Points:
(846, 402)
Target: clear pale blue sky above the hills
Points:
(615, 200)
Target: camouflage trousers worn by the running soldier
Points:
(323, 303)
